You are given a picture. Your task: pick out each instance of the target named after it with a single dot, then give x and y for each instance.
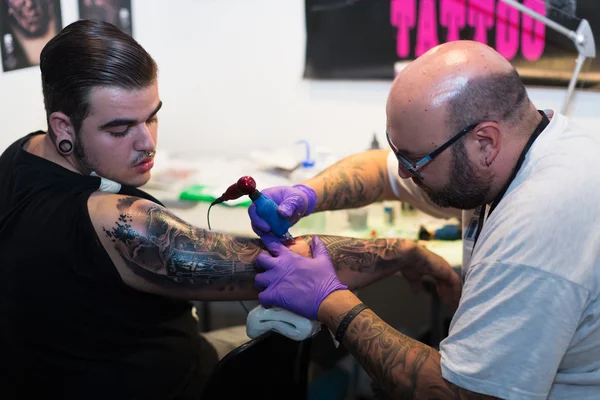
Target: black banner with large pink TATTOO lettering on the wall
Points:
(364, 39)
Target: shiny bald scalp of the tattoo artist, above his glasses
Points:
(456, 84)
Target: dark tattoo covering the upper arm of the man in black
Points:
(171, 252)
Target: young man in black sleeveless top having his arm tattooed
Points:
(96, 275)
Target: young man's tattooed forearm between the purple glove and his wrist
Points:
(360, 262)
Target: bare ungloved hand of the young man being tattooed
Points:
(447, 281)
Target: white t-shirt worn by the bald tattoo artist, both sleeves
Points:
(528, 322)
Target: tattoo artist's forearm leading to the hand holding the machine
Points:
(355, 181)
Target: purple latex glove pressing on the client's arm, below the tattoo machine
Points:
(293, 282)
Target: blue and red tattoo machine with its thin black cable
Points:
(265, 207)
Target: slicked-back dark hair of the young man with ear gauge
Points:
(88, 54)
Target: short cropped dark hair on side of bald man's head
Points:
(497, 97)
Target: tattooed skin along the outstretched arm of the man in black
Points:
(170, 252)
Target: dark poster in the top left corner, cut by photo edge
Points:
(26, 26)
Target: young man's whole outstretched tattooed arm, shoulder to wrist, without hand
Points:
(155, 251)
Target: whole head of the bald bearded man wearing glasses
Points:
(459, 87)
